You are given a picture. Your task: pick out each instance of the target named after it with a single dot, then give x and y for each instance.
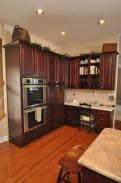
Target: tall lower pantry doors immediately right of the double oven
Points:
(55, 105)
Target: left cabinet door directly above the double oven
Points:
(27, 59)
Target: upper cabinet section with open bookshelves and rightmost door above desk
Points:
(98, 72)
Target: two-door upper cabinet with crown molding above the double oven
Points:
(32, 63)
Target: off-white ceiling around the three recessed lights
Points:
(78, 18)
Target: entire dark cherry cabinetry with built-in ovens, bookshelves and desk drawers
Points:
(36, 88)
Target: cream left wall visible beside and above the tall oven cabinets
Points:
(6, 36)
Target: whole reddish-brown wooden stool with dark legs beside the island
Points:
(69, 164)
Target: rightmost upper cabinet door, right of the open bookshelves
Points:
(107, 71)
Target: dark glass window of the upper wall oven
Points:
(35, 95)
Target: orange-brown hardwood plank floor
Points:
(37, 162)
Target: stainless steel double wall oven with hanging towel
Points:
(34, 103)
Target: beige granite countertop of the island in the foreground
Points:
(104, 155)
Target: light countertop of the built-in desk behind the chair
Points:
(98, 107)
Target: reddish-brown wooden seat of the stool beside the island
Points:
(70, 161)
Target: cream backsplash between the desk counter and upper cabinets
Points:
(106, 97)
